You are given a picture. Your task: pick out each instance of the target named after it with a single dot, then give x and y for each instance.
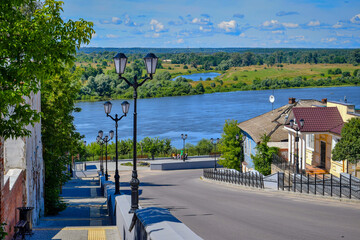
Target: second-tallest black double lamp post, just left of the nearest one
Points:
(125, 108)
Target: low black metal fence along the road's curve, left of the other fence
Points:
(232, 176)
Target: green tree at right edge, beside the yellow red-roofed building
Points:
(348, 147)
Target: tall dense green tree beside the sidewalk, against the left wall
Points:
(60, 141)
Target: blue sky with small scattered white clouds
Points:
(215, 23)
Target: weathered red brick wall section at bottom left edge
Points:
(10, 201)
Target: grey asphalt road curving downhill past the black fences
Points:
(217, 211)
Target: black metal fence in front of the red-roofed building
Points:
(345, 186)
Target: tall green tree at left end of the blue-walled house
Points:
(231, 149)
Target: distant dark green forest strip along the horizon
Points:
(228, 57)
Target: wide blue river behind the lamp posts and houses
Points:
(199, 116)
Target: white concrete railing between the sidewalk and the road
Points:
(151, 223)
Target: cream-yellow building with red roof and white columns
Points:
(312, 134)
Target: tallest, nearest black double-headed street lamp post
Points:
(120, 61)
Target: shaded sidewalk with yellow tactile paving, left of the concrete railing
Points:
(86, 216)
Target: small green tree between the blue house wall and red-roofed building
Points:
(264, 154)
